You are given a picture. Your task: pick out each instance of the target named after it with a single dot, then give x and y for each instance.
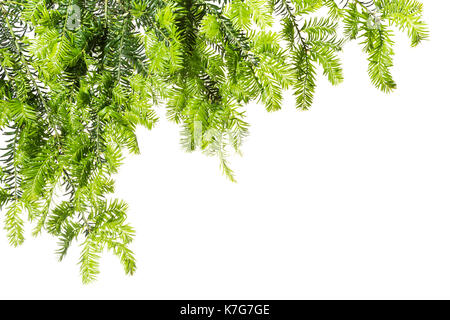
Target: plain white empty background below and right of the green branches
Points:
(348, 200)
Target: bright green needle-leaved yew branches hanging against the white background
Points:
(77, 78)
